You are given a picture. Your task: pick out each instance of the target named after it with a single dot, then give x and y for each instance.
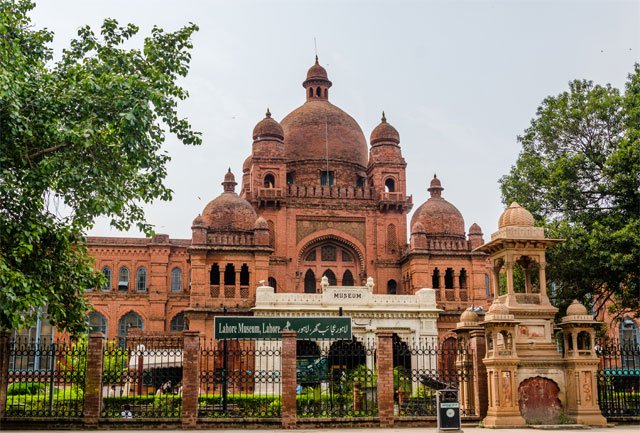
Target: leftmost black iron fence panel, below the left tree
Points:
(46, 378)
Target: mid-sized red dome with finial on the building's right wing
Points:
(438, 216)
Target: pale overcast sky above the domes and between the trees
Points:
(460, 80)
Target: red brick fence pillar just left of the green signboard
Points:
(190, 378)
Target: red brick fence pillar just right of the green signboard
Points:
(385, 378)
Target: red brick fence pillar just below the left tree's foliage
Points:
(93, 379)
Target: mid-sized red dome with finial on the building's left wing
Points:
(228, 211)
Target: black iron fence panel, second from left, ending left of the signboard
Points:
(142, 378)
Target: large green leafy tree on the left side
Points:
(80, 137)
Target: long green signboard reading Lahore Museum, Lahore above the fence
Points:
(256, 328)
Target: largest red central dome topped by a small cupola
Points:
(318, 130)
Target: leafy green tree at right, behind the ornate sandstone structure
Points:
(579, 175)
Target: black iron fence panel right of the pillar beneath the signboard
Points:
(336, 379)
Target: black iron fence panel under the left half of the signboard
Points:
(240, 379)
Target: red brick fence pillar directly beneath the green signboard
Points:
(288, 374)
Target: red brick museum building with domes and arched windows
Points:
(315, 200)
